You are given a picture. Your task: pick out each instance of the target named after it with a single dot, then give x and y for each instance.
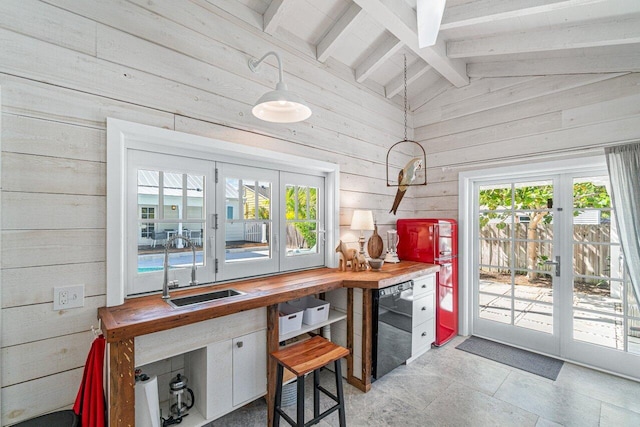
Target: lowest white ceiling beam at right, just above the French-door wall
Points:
(549, 66)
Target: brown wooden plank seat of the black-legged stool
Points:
(307, 356)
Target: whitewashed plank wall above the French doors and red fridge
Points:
(495, 121)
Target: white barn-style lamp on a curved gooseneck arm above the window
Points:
(280, 105)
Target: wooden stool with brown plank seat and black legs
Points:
(302, 358)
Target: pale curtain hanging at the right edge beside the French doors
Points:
(624, 171)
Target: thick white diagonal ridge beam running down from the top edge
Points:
(401, 21)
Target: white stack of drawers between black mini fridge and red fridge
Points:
(423, 320)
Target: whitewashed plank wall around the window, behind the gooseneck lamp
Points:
(67, 65)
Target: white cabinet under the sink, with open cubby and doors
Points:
(225, 360)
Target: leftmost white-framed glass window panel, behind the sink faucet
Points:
(171, 201)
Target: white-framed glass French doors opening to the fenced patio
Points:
(547, 268)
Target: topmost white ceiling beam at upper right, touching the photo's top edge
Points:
(486, 11)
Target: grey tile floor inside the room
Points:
(449, 387)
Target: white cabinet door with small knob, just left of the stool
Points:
(249, 367)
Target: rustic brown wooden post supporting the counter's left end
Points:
(122, 411)
